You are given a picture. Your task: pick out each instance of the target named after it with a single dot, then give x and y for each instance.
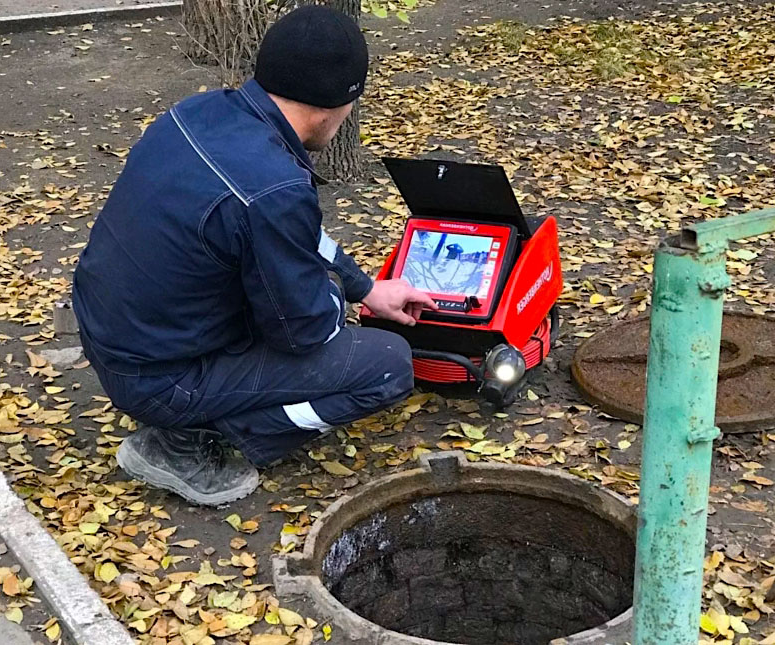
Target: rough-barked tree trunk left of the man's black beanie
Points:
(227, 32)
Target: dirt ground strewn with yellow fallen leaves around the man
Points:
(620, 128)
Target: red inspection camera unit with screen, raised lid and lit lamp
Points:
(494, 274)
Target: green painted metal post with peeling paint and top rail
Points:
(687, 309)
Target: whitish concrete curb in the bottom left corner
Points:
(82, 615)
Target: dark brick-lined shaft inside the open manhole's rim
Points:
(482, 568)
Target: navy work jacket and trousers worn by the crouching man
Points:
(204, 297)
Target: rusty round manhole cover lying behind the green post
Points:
(610, 371)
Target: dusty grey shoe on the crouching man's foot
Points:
(191, 463)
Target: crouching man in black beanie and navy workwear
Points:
(210, 300)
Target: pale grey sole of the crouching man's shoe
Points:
(138, 468)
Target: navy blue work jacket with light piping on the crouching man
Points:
(211, 240)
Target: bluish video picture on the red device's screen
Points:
(448, 263)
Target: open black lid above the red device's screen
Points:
(440, 189)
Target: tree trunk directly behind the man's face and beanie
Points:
(342, 157)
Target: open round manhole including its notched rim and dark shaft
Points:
(472, 554)
